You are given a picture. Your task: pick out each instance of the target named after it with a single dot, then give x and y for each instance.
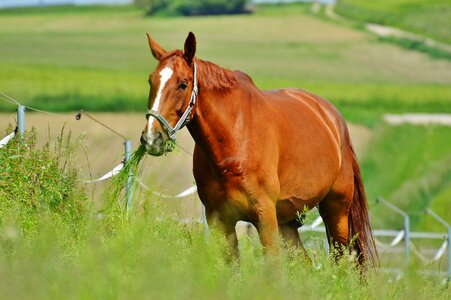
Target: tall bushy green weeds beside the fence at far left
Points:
(38, 182)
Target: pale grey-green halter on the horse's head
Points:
(184, 120)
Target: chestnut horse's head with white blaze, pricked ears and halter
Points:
(173, 90)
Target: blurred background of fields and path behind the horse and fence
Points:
(375, 60)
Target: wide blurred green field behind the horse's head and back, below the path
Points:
(67, 58)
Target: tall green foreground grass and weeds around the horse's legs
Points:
(150, 254)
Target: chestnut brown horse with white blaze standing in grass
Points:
(260, 156)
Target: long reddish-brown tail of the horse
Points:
(359, 224)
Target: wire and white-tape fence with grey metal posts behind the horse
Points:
(398, 236)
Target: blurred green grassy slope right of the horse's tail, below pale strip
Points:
(410, 167)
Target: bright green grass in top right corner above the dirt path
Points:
(430, 18)
